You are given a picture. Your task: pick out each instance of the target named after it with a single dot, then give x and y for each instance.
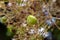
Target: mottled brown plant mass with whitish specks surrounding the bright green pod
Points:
(16, 12)
